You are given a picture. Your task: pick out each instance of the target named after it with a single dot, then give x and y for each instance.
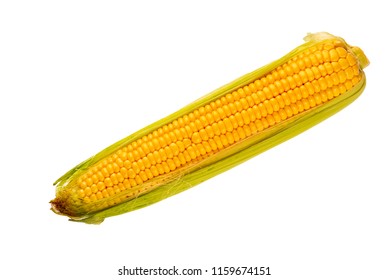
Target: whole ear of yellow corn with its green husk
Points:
(224, 128)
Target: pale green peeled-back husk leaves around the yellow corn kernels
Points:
(183, 179)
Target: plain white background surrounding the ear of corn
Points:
(76, 76)
